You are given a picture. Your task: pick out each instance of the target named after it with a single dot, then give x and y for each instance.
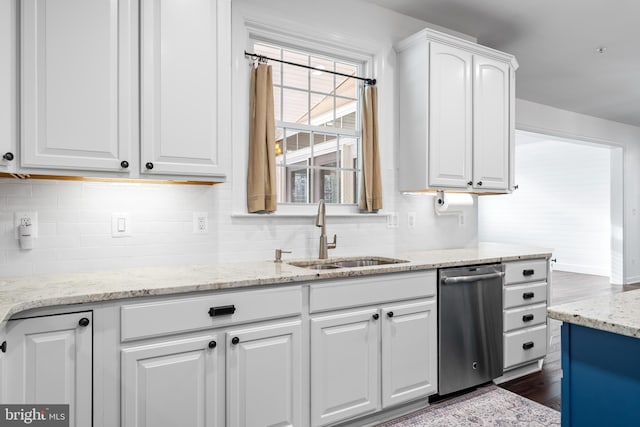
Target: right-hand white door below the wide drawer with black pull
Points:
(264, 375)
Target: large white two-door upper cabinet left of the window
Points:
(121, 88)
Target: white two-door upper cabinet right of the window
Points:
(456, 115)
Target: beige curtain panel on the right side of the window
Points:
(371, 190)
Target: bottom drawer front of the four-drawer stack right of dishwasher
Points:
(525, 346)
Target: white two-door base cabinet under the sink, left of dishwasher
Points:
(371, 358)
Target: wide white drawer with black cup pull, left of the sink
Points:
(170, 316)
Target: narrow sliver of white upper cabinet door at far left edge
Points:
(8, 84)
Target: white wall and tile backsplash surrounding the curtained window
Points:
(75, 217)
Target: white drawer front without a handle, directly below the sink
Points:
(371, 290)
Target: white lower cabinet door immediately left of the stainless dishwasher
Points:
(409, 352)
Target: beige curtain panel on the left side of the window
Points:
(261, 174)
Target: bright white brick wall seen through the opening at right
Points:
(563, 203)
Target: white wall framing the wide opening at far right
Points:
(552, 121)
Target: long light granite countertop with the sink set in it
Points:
(23, 293)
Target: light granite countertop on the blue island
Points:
(618, 313)
